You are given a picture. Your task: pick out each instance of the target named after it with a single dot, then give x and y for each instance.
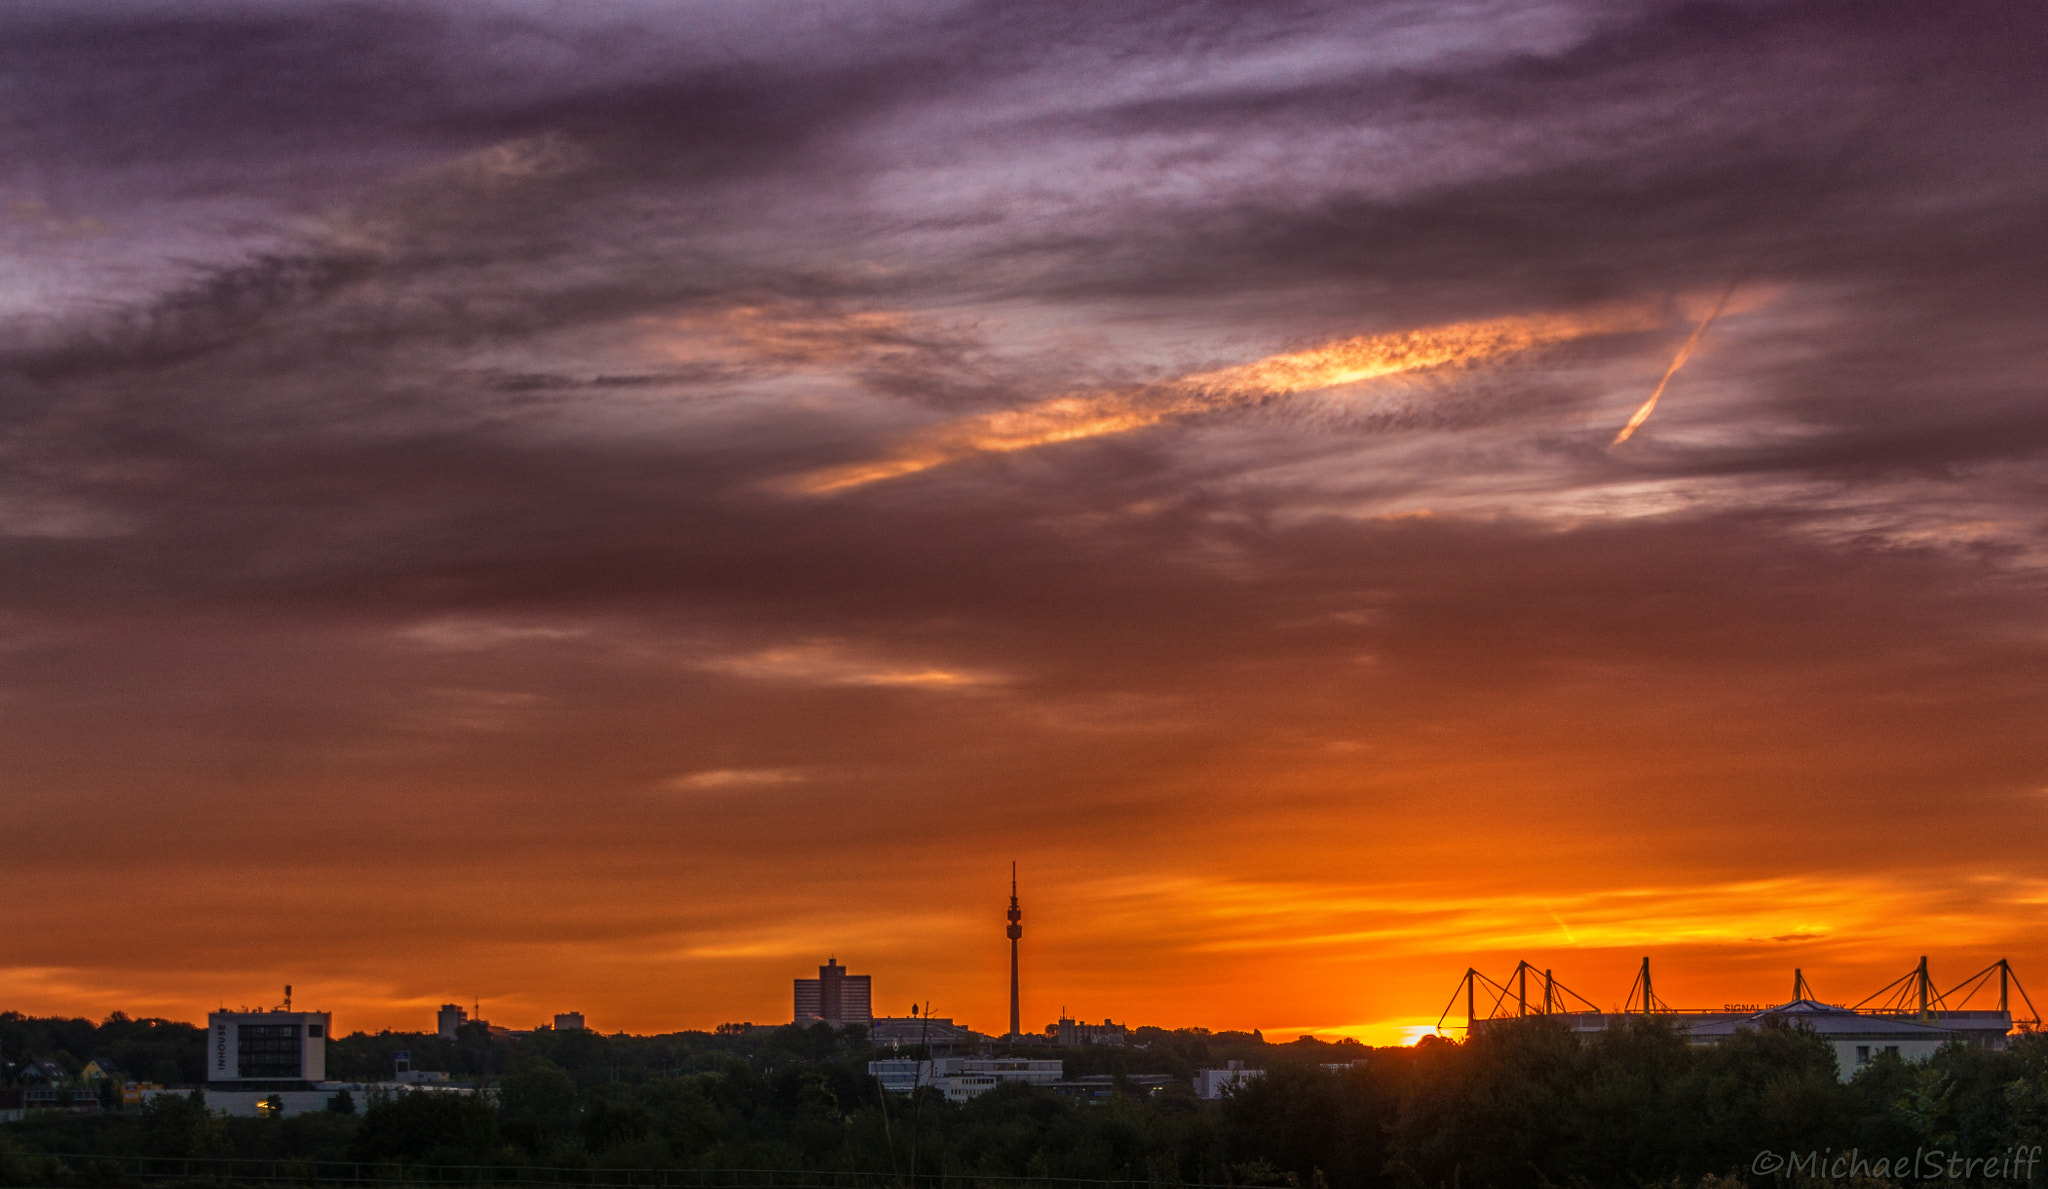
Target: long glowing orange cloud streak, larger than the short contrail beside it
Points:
(1123, 410)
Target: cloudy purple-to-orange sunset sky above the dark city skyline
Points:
(607, 504)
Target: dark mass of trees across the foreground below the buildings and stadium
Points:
(1521, 1106)
